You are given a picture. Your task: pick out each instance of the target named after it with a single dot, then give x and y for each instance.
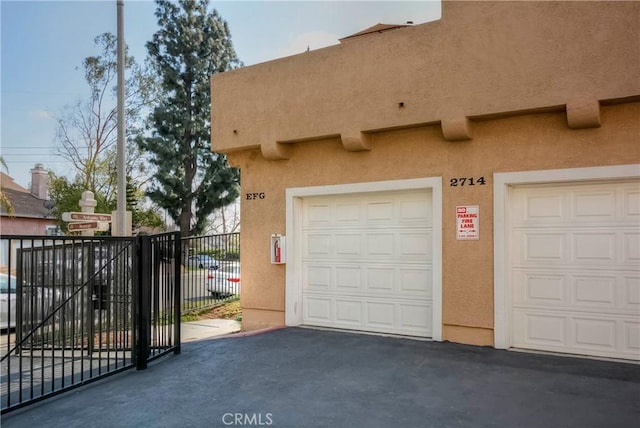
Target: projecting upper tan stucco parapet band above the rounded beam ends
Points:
(481, 58)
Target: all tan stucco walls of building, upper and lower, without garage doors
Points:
(491, 87)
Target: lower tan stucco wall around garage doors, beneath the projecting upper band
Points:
(523, 143)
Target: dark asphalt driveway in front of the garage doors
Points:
(298, 377)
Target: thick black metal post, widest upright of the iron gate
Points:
(143, 319)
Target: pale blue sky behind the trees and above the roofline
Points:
(43, 43)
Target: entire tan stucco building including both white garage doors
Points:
(474, 179)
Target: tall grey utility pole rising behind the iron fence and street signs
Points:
(121, 207)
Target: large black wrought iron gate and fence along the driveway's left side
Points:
(76, 309)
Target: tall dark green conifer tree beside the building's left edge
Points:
(190, 181)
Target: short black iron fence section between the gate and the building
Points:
(211, 274)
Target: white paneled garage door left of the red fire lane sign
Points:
(367, 262)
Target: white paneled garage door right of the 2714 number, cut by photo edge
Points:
(575, 261)
